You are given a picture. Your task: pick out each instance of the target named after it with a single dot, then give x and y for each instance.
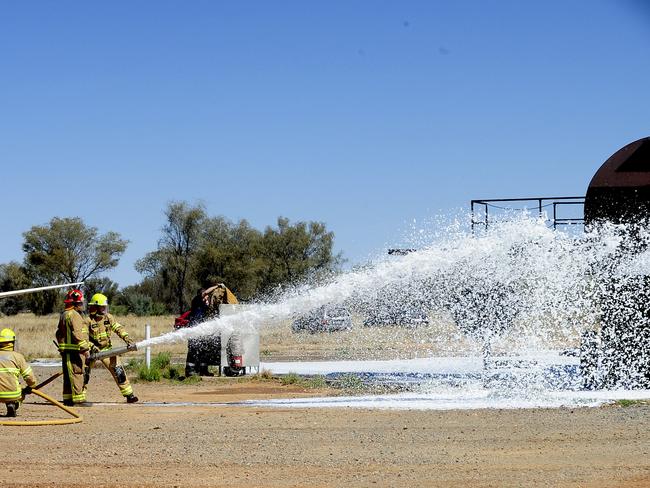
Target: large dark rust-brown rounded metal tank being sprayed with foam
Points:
(618, 353)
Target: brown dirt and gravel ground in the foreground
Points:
(141, 445)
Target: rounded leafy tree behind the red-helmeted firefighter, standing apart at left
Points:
(68, 250)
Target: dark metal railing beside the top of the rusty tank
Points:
(540, 204)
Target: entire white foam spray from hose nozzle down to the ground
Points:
(537, 287)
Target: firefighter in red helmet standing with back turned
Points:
(72, 339)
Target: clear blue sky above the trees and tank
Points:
(364, 115)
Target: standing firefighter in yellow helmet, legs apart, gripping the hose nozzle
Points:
(101, 325)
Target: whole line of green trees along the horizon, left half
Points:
(195, 250)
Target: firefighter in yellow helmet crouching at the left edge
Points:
(12, 367)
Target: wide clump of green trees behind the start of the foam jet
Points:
(199, 251)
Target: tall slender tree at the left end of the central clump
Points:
(180, 239)
